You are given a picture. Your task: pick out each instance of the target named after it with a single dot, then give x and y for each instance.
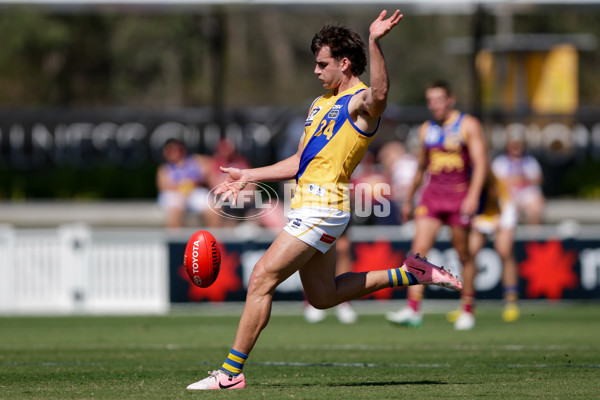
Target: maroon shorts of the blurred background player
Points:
(444, 207)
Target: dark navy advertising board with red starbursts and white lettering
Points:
(551, 269)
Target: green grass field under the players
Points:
(552, 352)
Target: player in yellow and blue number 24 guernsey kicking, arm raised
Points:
(340, 125)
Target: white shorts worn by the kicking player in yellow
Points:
(317, 227)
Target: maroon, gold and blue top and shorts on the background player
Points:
(448, 167)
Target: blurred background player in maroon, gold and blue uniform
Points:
(452, 156)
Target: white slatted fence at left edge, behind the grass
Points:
(73, 269)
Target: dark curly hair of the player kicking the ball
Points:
(342, 42)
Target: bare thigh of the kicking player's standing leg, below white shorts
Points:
(286, 255)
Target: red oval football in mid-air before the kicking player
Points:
(202, 259)
